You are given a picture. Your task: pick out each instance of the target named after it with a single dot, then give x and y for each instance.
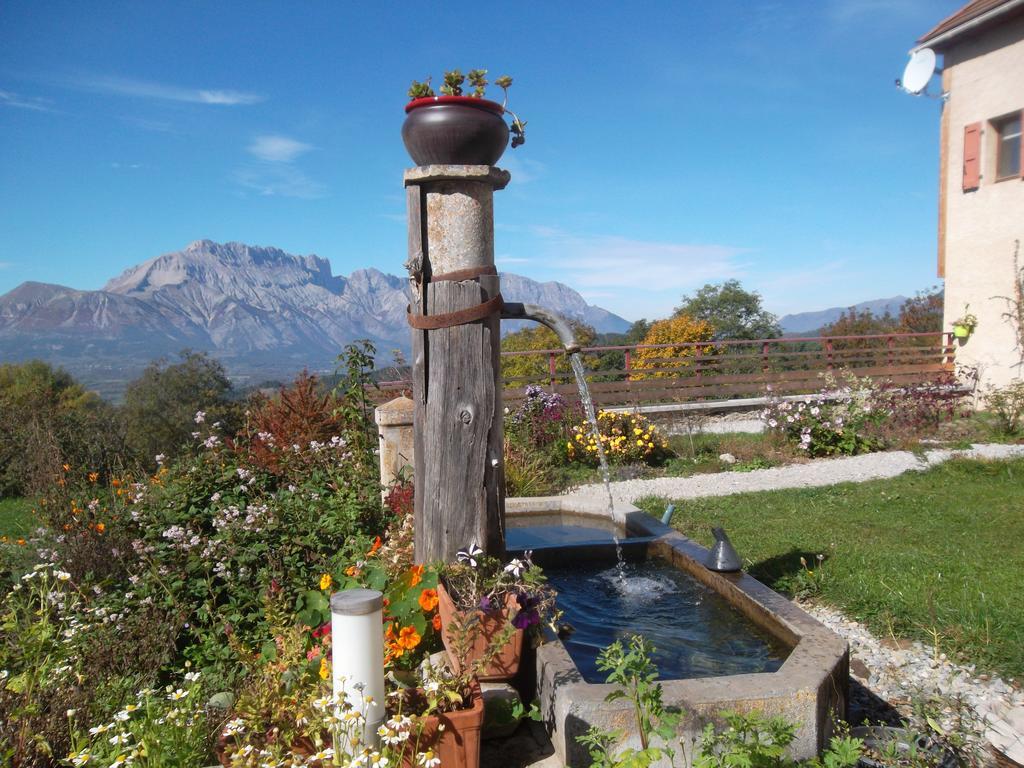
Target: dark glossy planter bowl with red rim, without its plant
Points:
(455, 131)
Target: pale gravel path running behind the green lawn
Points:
(816, 474)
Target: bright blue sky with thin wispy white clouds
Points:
(669, 144)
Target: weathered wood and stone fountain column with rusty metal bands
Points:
(456, 320)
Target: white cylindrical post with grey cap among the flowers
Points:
(358, 654)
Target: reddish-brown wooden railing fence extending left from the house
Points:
(726, 370)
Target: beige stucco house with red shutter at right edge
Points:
(982, 231)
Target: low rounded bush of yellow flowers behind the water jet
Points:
(627, 439)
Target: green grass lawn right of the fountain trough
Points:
(936, 556)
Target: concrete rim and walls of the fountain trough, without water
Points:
(810, 689)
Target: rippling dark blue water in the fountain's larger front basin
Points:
(695, 631)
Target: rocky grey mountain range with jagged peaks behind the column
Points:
(264, 313)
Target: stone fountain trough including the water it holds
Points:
(770, 656)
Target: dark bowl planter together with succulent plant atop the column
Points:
(456, 129)
